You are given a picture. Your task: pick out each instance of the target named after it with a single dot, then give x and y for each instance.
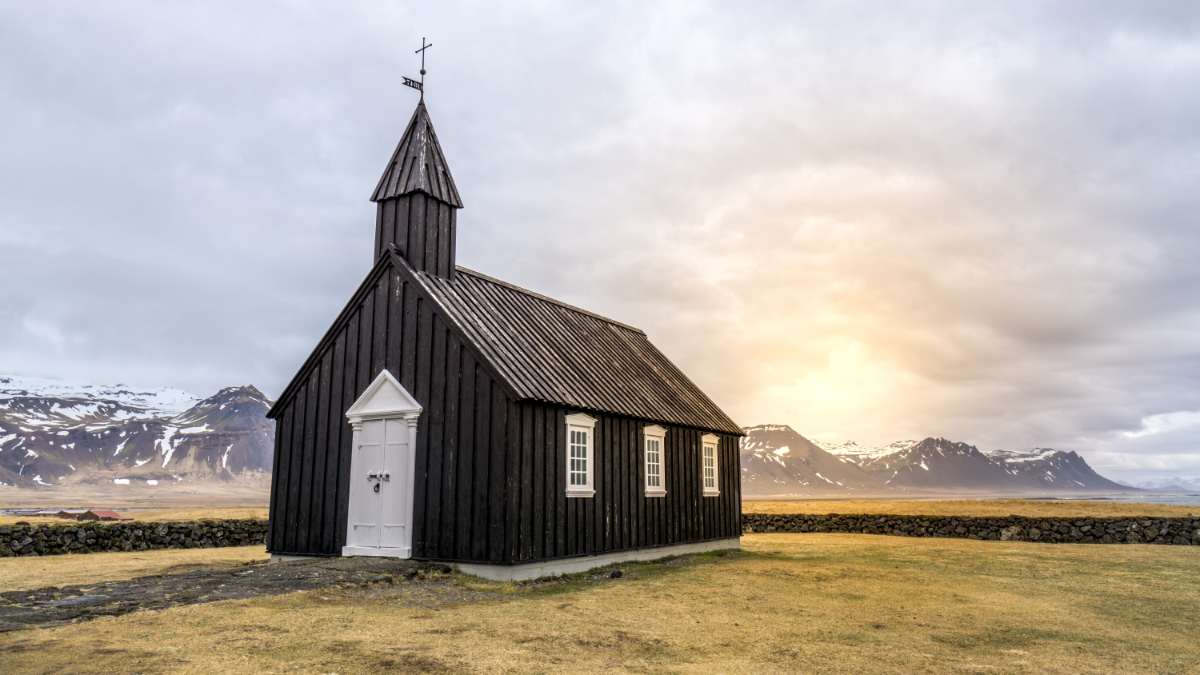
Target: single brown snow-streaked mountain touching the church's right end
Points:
(777, 459)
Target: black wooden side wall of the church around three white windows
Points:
(620, 517)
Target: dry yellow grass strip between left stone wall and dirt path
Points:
(17, 574)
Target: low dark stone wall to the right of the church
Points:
(1184, 531)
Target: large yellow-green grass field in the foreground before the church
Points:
(790, 602)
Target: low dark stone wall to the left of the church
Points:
(131, 536)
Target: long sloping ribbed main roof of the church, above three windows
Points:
(554, 353)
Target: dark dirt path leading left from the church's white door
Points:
(52, 606)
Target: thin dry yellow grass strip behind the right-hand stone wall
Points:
(969, 507)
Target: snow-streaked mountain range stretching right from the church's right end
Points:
(779, 462)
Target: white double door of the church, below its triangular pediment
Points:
(381, 489)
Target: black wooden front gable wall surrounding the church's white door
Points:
(460, 509)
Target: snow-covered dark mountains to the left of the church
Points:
(55, 433)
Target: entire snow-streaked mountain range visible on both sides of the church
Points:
(61, 434)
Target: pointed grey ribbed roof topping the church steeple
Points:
(418, 165)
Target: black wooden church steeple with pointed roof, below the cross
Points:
(418, 201)
